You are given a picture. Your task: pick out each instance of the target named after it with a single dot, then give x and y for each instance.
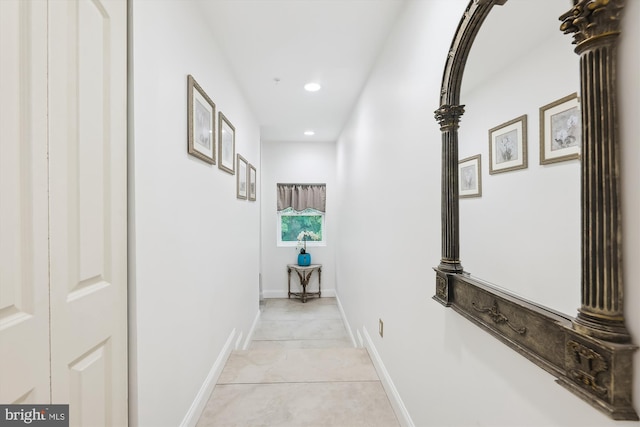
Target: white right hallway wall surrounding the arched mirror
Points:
(447, 371)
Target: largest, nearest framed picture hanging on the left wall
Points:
(201, 114)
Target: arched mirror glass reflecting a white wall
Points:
(523, 232)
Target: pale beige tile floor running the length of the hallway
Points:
(301, 369)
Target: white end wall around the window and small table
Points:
(296, 162)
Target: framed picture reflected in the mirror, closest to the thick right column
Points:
(560, 130)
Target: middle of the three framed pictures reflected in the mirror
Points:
(508, 146)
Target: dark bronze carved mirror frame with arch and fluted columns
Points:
(590, 354)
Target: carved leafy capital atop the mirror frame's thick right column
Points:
(592, 18)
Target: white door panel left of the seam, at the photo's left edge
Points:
(24, 264)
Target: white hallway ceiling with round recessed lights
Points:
(275, 47)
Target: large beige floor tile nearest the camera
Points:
(344, 404)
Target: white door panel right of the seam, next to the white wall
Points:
(87, 180)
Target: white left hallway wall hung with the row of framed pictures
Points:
(194, 257)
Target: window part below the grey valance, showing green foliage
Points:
(292, 223)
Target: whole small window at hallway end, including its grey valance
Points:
(301, 207)
